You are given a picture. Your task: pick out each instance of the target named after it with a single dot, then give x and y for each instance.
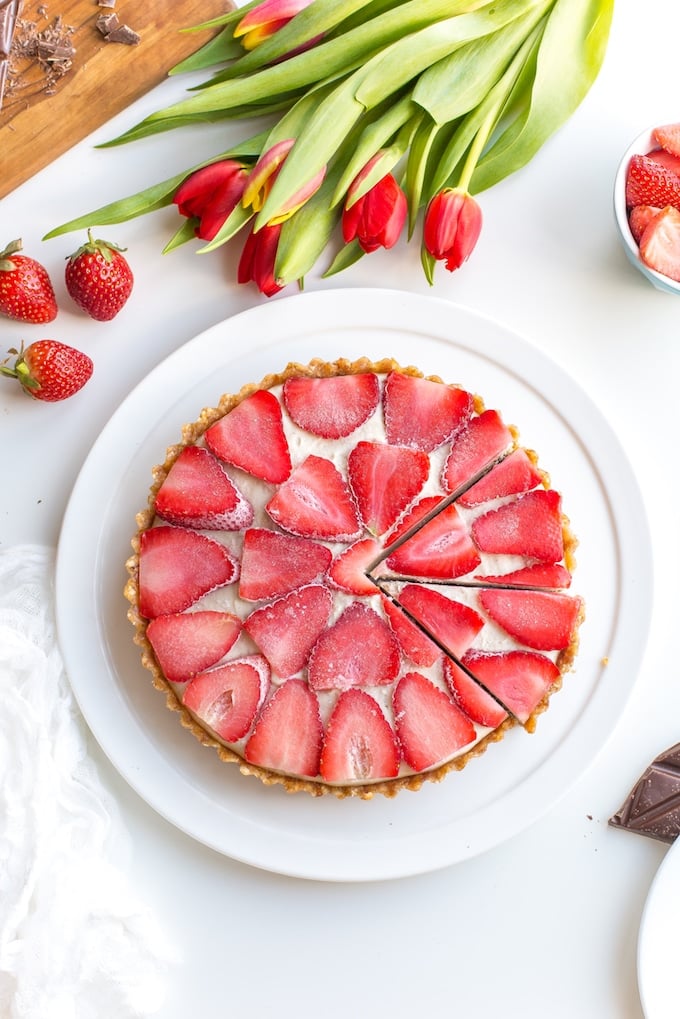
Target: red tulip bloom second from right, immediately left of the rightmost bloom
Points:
(378, 218)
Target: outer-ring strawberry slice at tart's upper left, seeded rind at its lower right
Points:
(198, 493)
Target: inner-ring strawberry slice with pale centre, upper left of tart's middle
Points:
(317, 503)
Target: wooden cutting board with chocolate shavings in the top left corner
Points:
(104, 79)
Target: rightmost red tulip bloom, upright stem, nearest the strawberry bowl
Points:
(453, 225)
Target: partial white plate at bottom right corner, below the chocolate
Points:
(659, 941)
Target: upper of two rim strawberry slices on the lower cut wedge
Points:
(544, 620)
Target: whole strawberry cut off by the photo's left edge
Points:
(26, 289)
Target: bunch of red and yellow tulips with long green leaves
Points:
(375, 117)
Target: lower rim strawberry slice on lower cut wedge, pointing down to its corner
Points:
(519, 679)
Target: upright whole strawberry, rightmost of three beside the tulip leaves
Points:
(99, 279)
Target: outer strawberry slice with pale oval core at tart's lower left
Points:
(228, 699)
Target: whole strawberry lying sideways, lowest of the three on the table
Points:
(49, 370)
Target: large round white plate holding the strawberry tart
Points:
(496, 796)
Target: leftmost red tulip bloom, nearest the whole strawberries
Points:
(211, 195)
